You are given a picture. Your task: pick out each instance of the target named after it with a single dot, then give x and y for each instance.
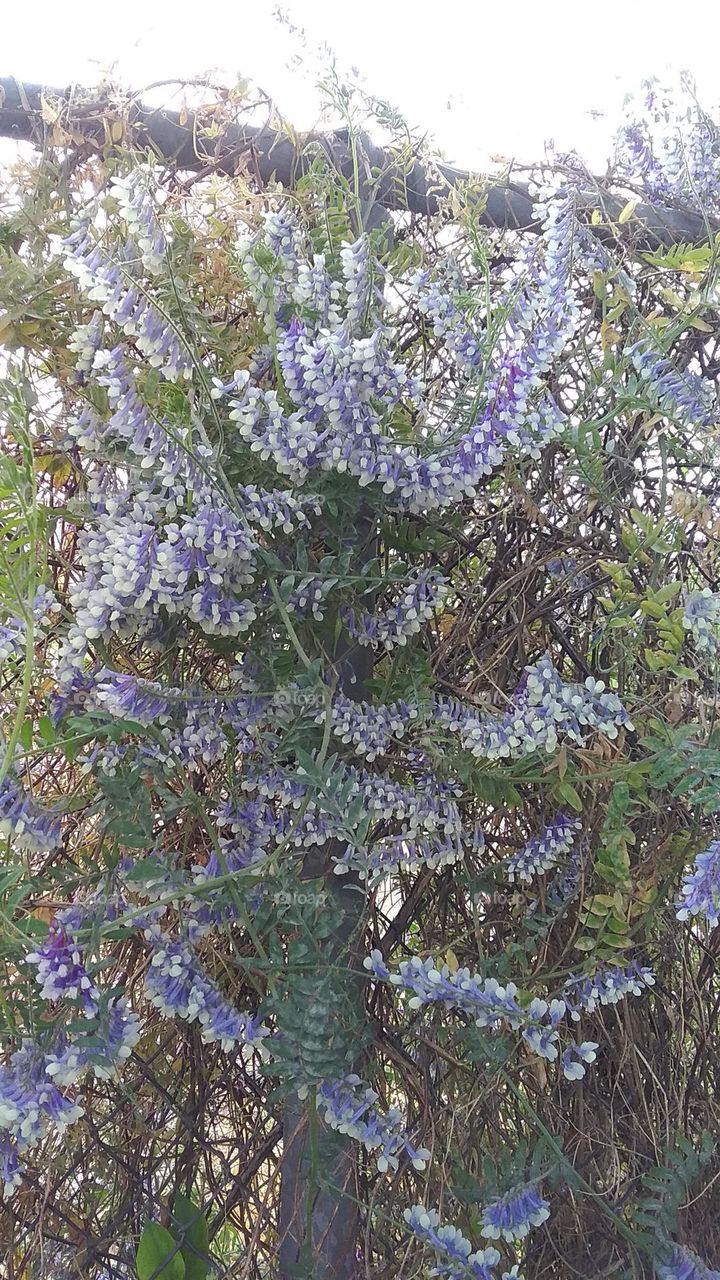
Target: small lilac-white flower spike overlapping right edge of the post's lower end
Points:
(349, 1107)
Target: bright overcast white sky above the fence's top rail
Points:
(485, 79)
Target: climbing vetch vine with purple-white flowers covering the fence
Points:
(344, 616)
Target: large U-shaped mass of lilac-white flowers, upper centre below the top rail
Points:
(344, 386)
